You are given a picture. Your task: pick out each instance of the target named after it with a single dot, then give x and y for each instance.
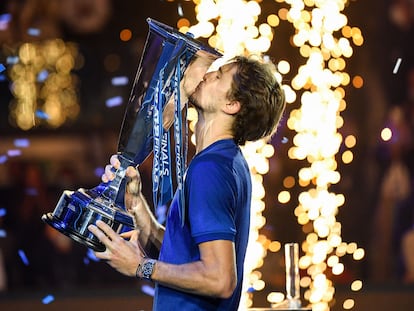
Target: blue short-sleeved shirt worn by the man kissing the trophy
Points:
(217, 191)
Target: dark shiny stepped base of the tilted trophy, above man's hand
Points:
(77, 210)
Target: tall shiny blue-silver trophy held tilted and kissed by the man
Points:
(166, 56)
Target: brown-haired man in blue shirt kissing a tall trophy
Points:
(200, 263)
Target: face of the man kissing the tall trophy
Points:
(214, 90)
